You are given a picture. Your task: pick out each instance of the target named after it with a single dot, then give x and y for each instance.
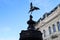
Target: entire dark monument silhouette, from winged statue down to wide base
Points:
(31, 33)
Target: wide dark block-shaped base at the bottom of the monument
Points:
(30, 35)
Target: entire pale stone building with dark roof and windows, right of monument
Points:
(49, 25)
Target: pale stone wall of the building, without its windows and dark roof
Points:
(49, 21)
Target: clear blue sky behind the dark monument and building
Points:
(14, 15)
